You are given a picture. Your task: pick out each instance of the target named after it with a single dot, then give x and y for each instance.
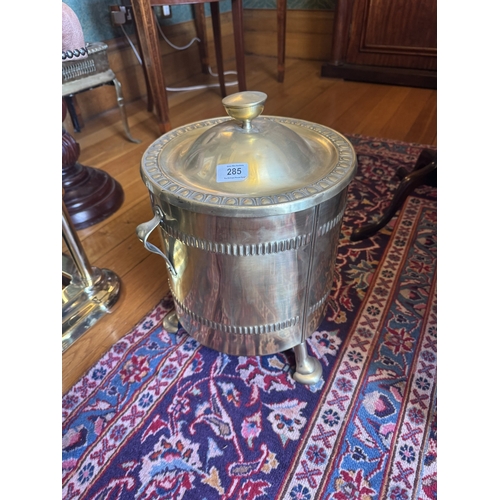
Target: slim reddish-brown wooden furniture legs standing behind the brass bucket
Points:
(148, 42)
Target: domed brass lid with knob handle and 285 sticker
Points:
(247, 164)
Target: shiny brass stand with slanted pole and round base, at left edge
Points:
(88, 292)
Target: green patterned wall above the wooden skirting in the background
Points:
(95, 18)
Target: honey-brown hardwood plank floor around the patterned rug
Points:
(383, 111)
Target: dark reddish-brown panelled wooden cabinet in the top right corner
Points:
(385, 41)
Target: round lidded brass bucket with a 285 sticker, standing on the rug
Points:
(249, 208)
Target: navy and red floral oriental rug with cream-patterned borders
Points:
(162, 417)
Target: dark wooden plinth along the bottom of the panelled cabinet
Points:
(377, 74)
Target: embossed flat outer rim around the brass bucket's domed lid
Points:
(172, 191)
